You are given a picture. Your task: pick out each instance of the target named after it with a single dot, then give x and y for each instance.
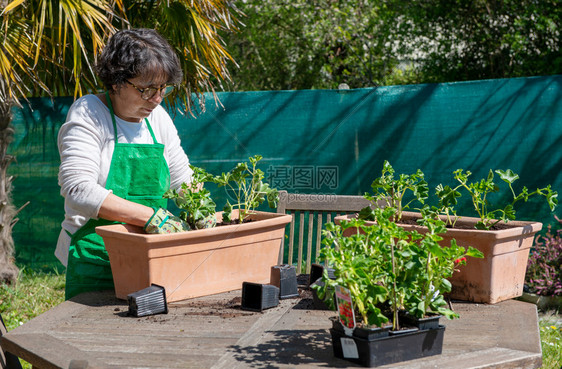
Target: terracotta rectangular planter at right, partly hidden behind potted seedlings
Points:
(500, 275)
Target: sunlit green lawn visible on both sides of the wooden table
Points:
(37, 292)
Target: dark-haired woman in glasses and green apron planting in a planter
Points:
(120, 152)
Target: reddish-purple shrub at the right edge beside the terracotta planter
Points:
(544, 268)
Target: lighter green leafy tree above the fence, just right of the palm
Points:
(318, 44)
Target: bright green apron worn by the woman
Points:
(138, 173)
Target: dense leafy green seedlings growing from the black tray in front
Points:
(389, 270)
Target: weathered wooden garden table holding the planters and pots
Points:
(93, 330)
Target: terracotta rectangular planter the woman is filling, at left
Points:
(195, 263)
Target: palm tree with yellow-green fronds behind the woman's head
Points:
(49, 48)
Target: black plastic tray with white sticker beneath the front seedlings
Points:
(390, 349)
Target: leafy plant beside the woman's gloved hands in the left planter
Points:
(194, 200)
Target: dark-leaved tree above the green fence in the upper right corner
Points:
(480, 39)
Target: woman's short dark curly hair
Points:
(137, 52)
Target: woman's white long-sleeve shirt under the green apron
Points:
(86, 143)
